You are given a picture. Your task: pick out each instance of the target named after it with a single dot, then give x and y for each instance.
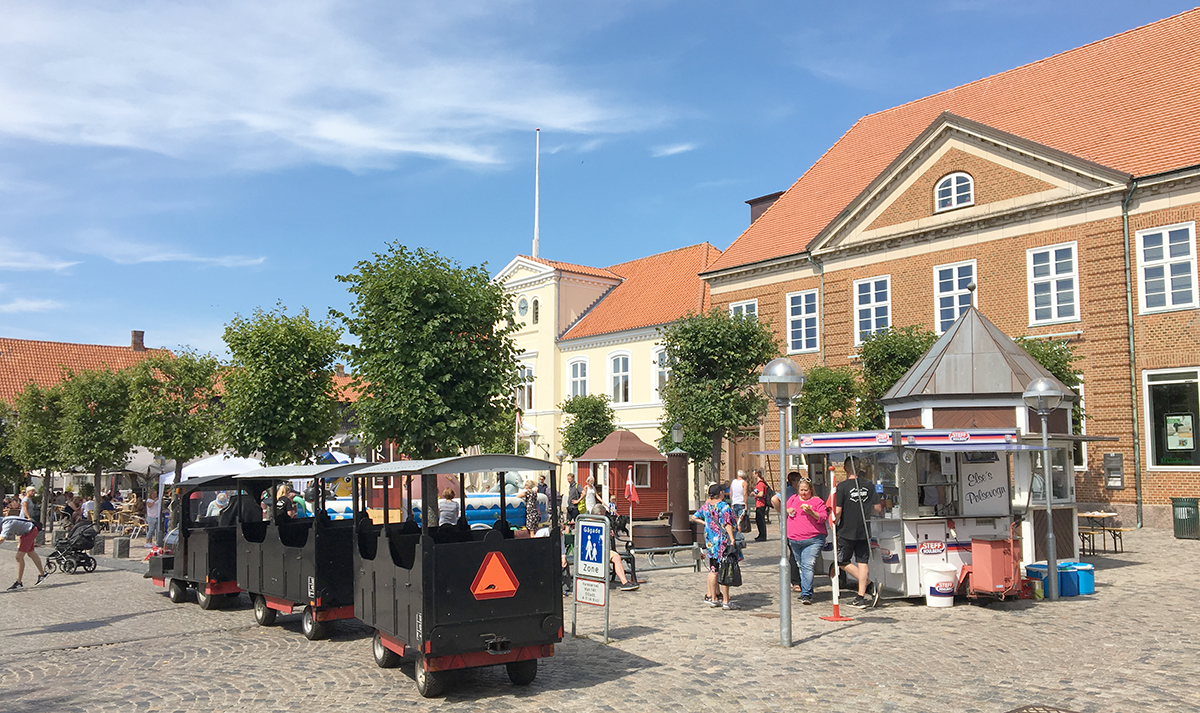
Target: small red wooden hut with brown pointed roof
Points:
(621, 452)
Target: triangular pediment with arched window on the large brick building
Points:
(1009, 175)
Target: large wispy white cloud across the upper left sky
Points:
(280, 83)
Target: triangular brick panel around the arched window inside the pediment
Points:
(993, 183)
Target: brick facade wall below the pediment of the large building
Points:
(1163, 341)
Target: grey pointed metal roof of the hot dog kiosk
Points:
(974, 360)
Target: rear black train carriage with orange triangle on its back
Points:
(454, 597)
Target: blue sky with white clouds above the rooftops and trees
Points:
(165, 166)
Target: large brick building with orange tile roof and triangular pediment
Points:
(1069, 190)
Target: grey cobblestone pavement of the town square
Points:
(112, 642)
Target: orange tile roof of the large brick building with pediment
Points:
(1129, 103)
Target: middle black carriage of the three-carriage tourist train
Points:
(289, 564)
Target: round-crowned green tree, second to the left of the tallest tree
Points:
(173, 410)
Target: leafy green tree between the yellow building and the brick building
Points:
(713, 391)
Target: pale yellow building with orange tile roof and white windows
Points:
(595, 331)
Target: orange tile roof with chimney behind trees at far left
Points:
(43, 363)
